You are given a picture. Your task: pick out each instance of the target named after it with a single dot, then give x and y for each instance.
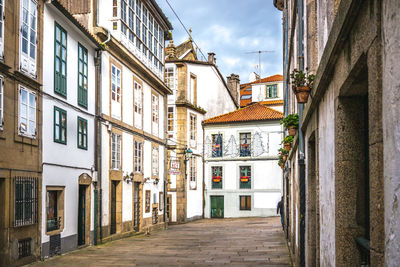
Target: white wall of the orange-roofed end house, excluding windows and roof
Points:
(266, 175)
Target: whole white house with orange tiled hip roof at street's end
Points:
(242, 176)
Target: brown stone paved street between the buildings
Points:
(209, 242)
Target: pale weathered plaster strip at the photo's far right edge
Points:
(391, 128)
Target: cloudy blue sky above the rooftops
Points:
(231, 29)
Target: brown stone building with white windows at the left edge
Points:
(21, 42)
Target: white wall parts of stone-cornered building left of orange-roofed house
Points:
(212, 96)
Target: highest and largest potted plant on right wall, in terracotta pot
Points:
(302, 83)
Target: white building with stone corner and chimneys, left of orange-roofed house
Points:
(199, 92)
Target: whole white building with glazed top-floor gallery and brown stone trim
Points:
(133, 110)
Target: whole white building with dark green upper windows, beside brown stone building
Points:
(68, 132)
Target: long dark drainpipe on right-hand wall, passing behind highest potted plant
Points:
(300, 12)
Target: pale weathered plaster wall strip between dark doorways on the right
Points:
(326, 160)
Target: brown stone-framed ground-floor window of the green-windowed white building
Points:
(54, 208)
